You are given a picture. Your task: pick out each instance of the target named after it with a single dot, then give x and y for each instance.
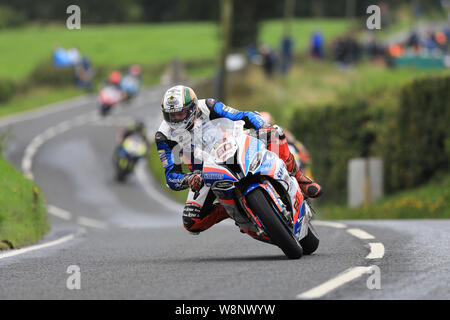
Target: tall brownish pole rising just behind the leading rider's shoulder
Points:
(226, 9)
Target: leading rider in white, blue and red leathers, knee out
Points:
(183, 111)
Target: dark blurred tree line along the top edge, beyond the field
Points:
(101, 11)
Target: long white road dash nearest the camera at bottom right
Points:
(332, 284)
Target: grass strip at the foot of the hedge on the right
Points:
(431, 201)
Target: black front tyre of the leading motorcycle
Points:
(277, 230)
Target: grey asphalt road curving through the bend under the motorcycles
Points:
(129, 243)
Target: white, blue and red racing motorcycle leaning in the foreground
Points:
(254, 186)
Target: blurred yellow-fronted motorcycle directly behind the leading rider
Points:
(127, 155)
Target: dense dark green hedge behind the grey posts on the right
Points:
(407, 128)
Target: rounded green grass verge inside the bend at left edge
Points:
(23, 217)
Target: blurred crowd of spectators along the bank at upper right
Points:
(427, 43)
